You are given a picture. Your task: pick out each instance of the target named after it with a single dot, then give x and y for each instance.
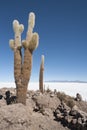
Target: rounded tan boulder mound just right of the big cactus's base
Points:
(45, 100)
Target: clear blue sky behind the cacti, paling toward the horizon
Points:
(62, 28)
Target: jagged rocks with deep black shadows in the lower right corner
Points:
(74, 119)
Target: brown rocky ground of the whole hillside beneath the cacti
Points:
(48, 111)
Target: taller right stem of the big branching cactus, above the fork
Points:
(29, 45)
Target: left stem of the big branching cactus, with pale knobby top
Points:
(16, 47)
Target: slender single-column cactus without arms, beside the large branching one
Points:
(41, 75)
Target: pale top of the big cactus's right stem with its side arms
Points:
(32, 39)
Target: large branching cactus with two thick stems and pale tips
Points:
(22, 67)
